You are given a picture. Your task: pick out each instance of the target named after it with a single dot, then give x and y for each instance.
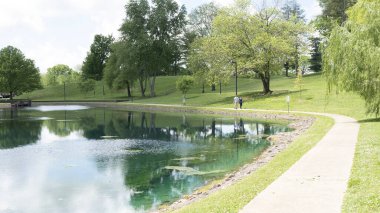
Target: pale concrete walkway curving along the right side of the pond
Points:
(317, 182)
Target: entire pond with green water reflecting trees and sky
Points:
(79, 159)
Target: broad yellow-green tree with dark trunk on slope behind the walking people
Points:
(258, 42)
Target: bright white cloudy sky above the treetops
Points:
(54, 32)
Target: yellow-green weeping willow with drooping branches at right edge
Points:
(350, 60)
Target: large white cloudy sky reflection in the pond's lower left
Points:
(59, 178)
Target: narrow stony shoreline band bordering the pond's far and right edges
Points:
(279, 142)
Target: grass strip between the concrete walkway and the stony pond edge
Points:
(235, 197)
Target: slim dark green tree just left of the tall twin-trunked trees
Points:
(93, 65)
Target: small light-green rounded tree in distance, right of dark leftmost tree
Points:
(59, 74)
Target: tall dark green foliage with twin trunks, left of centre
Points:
(154, 36)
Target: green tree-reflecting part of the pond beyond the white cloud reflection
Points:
(202, 148)
